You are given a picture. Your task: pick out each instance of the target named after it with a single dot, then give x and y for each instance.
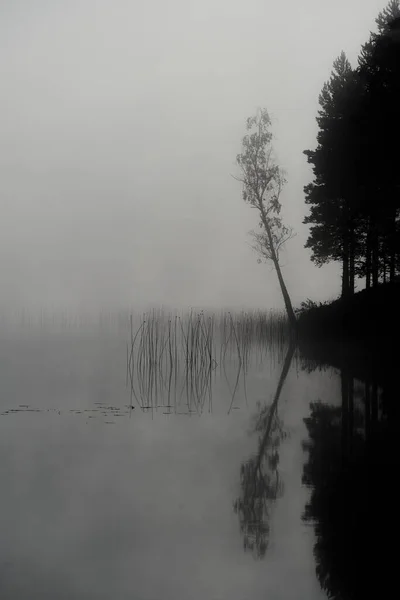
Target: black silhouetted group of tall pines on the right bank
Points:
(354, 198)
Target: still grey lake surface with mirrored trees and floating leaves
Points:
(234, 487)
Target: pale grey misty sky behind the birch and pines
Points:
(120, 121)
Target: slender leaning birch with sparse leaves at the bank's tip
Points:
(262, 181)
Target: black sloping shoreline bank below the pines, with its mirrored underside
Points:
(360, 333)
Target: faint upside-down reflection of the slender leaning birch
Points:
(259, 476)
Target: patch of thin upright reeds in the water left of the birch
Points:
(171, 357)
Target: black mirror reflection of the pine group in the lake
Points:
(352, 462)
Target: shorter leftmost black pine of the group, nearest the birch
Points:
(333, 195)
